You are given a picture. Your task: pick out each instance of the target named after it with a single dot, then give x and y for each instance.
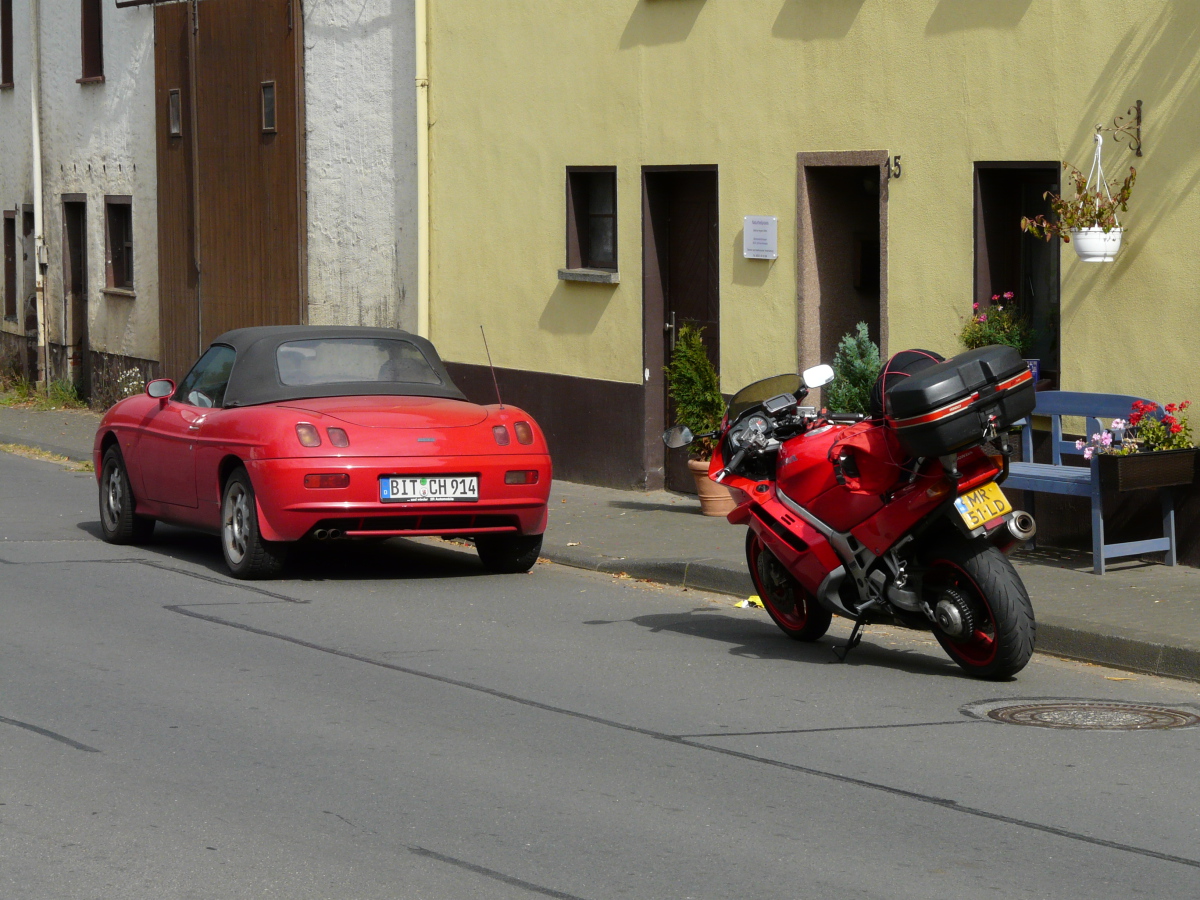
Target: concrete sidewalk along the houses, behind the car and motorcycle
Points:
(1139, 616)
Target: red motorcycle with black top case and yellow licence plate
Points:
(897, 518)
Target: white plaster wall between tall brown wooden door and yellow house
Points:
(361, 111)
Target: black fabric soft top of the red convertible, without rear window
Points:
(256, 379)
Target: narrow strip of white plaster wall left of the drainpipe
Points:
(16, 148)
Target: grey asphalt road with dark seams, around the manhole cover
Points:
(391, 722)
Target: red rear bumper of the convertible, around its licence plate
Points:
(290, 512)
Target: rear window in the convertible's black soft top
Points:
(349, 361)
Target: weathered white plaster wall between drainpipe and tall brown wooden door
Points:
(99, 140)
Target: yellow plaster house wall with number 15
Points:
(523, 91)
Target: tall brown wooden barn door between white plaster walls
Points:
(232, 172)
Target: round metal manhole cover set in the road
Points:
(1084, 715)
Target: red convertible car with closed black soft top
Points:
(290, 434)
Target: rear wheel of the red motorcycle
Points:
(985, 616)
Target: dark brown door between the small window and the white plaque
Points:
(682, 207)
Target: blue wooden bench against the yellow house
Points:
(1081, 481)
